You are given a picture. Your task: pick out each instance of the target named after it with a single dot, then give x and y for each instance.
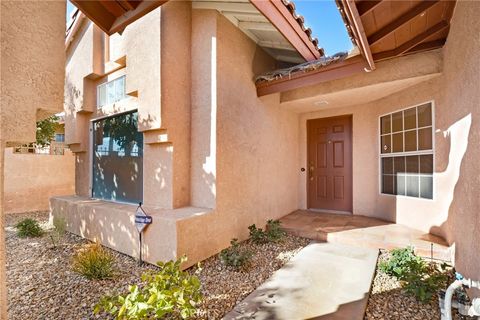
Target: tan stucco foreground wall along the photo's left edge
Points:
(31, 81)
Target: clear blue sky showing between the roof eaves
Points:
(322, 16)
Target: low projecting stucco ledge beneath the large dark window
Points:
(112, 224)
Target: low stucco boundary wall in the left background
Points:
(31, 179)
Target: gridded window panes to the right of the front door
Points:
(406, 152)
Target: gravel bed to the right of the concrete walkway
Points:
(388, 301)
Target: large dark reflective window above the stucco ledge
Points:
(118, 159)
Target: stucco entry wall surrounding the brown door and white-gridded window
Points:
(453, 213)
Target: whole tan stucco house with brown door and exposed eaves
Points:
(218, 115)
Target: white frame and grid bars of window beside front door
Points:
(408, 153)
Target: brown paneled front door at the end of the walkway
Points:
(329, 180)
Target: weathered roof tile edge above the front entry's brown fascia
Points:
(301, 68)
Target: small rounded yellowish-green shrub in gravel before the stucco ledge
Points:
(94, 262)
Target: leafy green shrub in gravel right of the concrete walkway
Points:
(418, 278)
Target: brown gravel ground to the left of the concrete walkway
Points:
(41, 284)
